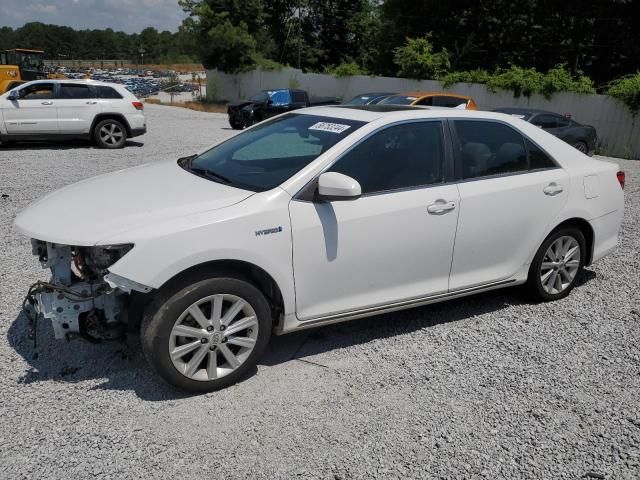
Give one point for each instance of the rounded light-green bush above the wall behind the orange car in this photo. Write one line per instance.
(417, 59)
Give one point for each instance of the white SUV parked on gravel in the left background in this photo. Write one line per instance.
(52, 109)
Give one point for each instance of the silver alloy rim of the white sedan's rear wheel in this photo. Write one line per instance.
(560, 265)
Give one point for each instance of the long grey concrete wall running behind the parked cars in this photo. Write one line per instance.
(618, 131)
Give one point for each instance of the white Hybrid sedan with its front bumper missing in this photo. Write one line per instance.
(314, 217)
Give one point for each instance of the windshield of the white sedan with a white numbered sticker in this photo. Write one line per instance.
(271, 152)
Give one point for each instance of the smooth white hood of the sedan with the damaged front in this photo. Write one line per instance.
(100, 207)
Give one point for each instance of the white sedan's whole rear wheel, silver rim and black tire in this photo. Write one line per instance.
(557, 265)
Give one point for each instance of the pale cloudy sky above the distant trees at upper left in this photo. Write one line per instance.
(130, 16)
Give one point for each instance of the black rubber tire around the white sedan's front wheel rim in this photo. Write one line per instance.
(162, 314)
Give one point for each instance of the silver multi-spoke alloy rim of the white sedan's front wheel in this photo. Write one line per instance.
(213, 337)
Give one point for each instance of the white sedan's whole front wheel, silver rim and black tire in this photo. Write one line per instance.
(208, 334)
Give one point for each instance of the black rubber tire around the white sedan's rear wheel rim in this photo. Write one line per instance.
(534, 283)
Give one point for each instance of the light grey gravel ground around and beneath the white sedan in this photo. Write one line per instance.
(484, 387)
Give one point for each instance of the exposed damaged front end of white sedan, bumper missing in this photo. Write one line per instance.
(82, 299)
